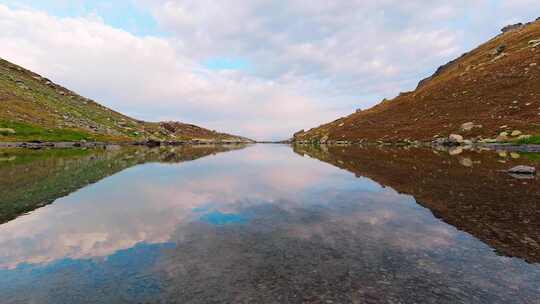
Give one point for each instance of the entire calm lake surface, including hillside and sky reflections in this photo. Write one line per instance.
(268, 224)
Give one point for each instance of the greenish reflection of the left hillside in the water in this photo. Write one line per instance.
(30, 179)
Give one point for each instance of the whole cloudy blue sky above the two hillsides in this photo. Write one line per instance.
(258, 68)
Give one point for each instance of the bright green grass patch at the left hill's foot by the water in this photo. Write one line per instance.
(27, 132)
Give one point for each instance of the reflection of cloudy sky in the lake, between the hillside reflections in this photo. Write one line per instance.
(257, 225)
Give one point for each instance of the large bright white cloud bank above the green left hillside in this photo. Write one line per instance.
(147, 76)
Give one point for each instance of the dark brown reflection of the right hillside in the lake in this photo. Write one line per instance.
(467, 191)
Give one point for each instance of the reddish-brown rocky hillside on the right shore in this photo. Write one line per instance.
(490, 90)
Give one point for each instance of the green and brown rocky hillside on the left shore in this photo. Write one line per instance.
(34, 108)
